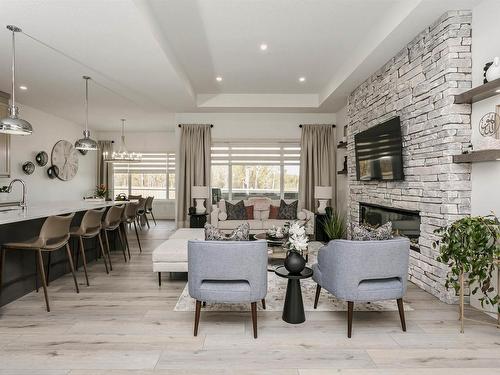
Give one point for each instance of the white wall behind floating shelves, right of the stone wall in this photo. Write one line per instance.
(485, 46)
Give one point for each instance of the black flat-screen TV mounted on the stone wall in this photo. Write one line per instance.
(379, 152)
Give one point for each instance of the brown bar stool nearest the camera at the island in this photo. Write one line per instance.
(53, 236)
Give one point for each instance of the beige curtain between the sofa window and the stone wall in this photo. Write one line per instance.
(317, 163)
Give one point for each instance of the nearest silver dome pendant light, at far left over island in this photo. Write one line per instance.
(13, 124)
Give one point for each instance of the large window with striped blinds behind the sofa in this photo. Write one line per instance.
(243, 170)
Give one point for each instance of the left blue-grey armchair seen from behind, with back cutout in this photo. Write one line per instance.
(227, 272)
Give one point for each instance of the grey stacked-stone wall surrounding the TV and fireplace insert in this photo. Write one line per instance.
(418, 85)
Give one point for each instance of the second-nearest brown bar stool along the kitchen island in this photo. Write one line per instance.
(90, 227)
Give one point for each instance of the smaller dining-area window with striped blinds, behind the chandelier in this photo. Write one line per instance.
(154, 176)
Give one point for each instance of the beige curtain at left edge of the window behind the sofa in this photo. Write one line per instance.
(194, 167)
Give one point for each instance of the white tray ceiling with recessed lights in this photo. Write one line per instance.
(151, 58)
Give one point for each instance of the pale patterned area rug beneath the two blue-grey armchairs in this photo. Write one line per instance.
(276, 290)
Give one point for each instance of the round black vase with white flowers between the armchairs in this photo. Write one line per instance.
(296, 244)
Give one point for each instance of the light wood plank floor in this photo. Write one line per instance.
(124, 324)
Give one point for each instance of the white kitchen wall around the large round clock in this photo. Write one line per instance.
(47, 130)
